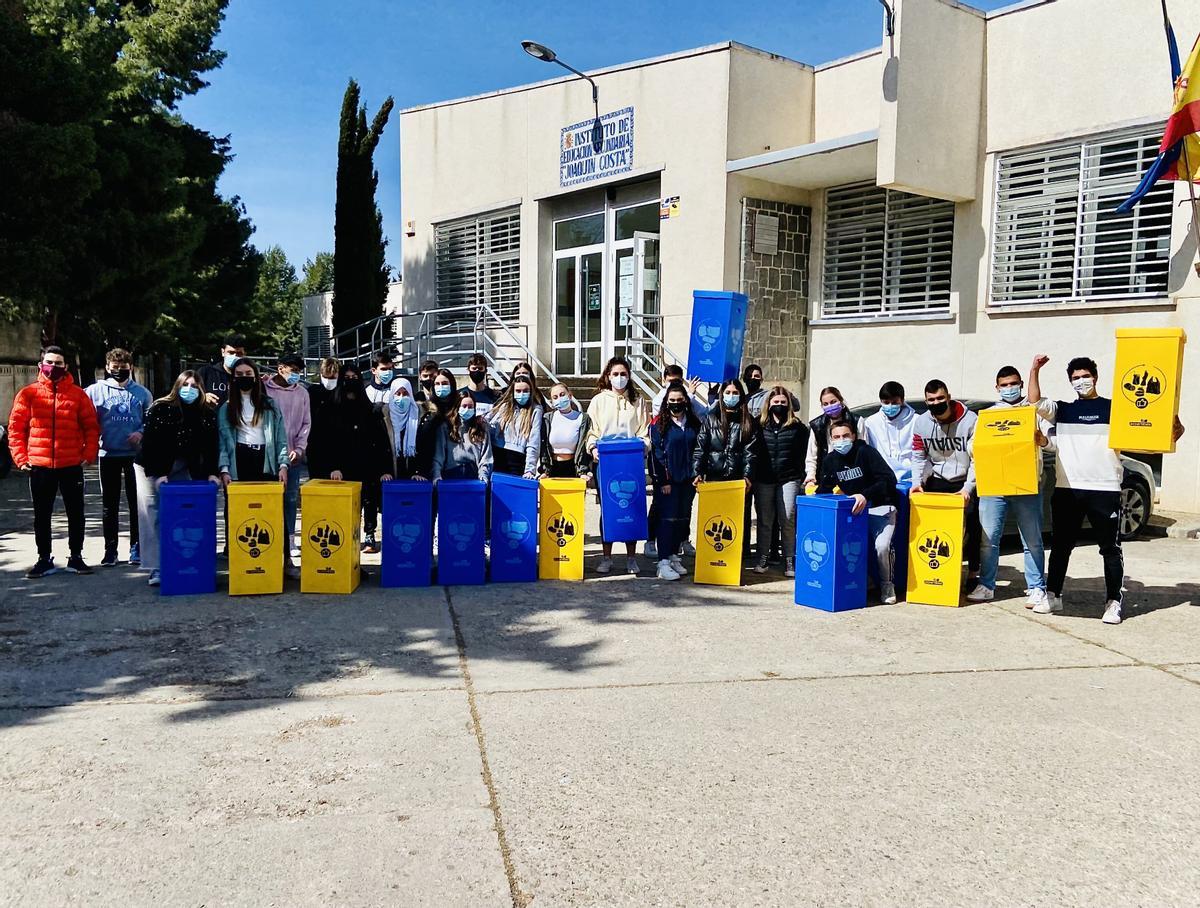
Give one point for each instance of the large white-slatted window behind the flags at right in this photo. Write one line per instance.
(1058, 234)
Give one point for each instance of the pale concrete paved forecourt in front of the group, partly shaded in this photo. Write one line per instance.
(621, 742)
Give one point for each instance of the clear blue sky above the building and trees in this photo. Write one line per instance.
(280, 91)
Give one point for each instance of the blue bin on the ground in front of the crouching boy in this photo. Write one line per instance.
(832, 552)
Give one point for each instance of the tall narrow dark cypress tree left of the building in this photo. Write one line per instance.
(361, 286)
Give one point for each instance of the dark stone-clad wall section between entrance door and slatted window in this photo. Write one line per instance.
(778, 326)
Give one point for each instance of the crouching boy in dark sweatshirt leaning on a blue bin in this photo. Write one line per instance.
(860, 471)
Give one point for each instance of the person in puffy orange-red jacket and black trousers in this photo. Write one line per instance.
(52, 434)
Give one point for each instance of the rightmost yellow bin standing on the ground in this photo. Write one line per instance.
(935, 549)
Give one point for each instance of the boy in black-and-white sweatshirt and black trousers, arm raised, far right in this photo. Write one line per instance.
(1089, 478)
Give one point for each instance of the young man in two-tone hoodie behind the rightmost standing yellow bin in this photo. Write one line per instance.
(943, 461)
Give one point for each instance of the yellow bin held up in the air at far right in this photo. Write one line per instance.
(1147, 389)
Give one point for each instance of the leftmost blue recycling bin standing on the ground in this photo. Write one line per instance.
(188, 538)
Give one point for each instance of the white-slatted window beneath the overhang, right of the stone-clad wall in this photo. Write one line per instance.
(886, 254)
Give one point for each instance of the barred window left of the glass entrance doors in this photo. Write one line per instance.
(479, 263)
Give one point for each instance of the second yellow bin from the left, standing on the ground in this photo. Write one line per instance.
(329, 537)
